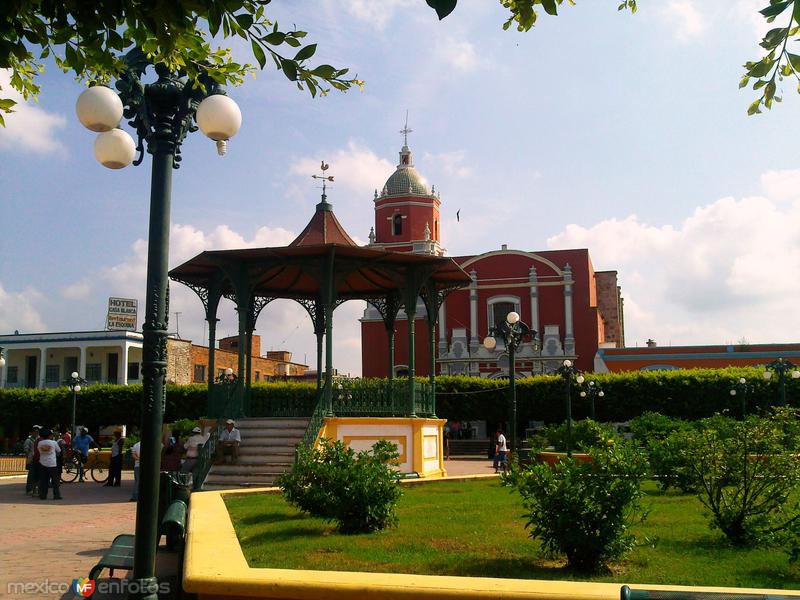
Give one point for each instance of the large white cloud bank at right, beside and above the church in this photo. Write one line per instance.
(726, 272)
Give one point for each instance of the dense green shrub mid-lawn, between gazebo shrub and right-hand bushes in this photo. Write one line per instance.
(584, 510)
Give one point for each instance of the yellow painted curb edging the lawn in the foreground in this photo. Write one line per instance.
(215, 567)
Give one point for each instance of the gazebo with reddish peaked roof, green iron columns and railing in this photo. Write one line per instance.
(322, 268)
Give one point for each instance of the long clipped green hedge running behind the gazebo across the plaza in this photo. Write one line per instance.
(691, 394)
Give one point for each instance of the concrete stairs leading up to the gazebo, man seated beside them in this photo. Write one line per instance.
(266, 451)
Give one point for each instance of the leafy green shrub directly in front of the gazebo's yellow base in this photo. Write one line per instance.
(357, 490)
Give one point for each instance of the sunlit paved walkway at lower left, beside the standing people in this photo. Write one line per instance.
(56, 541)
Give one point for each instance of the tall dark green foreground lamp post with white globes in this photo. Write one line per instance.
(162, 113)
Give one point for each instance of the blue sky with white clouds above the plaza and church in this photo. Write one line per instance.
(625, 134)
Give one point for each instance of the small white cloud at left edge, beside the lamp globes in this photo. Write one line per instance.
(29, 128)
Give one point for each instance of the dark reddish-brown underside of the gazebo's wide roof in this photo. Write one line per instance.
(299, 272)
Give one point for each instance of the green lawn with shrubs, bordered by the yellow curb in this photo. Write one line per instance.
(476, 528)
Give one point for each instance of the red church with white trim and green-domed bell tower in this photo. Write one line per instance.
(572, 309)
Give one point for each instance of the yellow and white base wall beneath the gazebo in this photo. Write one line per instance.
(419, 441)
